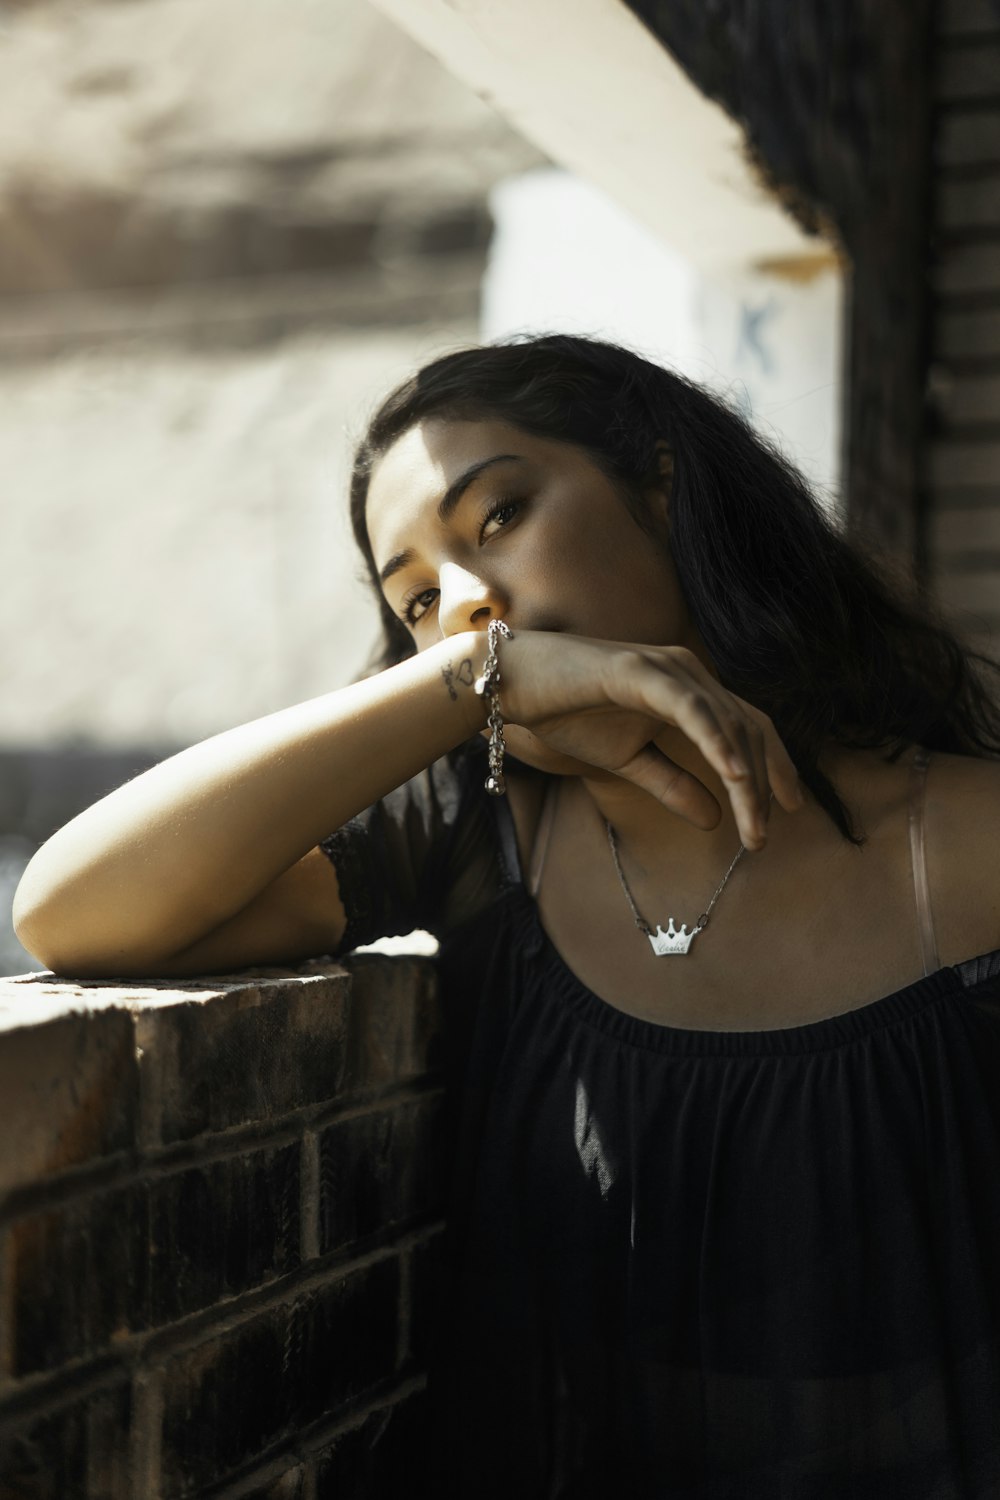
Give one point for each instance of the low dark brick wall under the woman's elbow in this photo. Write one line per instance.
(220, 1222)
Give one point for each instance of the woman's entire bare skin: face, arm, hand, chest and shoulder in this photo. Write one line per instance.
(624, 707)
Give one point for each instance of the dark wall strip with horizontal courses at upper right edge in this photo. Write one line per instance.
(963, 463)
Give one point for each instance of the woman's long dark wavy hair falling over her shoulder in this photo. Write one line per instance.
(821, 632)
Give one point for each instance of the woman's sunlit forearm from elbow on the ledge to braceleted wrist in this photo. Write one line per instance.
(170, 856)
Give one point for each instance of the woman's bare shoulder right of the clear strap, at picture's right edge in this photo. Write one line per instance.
(963, 854)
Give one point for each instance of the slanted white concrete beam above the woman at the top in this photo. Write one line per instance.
(603, 98)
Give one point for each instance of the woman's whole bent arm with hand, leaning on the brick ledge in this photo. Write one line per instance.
(146, 877)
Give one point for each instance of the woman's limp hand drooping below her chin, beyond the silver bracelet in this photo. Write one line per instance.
(615, 706)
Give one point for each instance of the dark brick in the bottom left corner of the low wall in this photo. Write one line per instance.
(77, 1453)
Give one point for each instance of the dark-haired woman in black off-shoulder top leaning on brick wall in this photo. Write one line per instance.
(725, 1217)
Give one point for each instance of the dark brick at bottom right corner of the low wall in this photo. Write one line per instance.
(383, 1459)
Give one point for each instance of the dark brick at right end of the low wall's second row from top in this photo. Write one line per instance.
(382, 1169)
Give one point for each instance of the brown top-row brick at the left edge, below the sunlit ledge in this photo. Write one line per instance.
(68, 1091)
